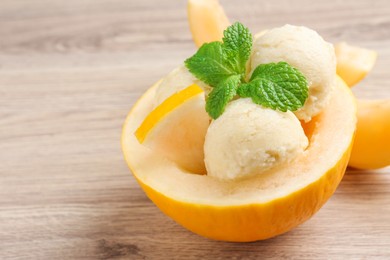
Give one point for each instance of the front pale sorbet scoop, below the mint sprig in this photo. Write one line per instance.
(249, 139)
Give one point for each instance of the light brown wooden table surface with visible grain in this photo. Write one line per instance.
(69, 73)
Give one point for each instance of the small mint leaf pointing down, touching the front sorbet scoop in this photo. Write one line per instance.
(221, 95)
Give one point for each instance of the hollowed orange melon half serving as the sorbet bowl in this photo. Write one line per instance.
(256, 208)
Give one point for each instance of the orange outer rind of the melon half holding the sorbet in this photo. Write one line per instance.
(252, 222)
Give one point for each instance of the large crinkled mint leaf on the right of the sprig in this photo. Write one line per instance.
(277, 86)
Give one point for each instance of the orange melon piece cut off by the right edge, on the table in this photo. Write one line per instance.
(371, 148)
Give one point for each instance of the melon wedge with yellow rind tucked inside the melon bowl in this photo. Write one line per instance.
(177, 128)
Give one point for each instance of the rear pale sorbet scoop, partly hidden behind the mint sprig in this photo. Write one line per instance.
(305, 50)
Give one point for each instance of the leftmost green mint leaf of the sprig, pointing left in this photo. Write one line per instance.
(210, 64)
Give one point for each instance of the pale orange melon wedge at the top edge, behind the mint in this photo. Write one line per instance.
(207, 21)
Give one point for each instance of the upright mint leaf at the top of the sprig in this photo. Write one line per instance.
(237, 42)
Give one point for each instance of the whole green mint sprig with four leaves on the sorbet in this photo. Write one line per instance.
(222, 65)
